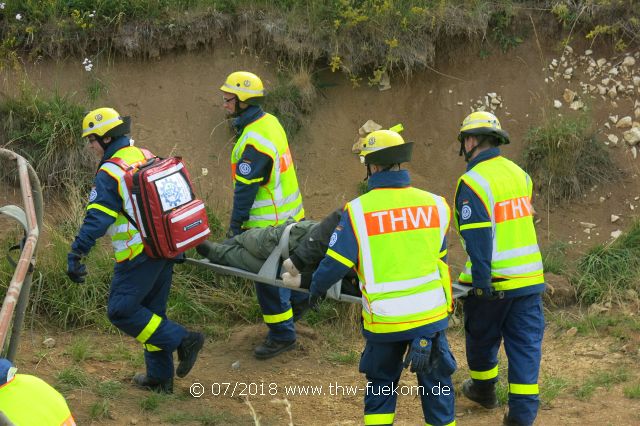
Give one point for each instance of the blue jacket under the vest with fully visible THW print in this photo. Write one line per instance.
(344, 242)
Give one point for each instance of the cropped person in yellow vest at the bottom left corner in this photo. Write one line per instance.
(29, 400)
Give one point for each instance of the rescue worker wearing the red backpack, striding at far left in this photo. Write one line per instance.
(140, 285)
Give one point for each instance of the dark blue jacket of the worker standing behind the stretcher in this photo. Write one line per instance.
(258, 171)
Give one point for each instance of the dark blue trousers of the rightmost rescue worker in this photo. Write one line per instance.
(520, 322)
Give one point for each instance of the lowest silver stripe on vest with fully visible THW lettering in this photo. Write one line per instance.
(408, 305)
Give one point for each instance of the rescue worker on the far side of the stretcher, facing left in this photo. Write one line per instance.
(266, 193)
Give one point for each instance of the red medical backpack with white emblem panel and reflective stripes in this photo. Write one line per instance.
(168, 216)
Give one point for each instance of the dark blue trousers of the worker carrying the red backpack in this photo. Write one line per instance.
(137, 306)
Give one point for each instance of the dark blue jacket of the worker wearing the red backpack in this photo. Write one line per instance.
(104, 193)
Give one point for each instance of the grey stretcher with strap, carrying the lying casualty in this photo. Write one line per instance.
(268, 274)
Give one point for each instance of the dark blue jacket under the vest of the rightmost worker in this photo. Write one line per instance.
(479, 241)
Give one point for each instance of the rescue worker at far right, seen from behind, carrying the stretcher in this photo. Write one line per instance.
(494, 217)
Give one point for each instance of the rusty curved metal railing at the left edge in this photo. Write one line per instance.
(17, 297)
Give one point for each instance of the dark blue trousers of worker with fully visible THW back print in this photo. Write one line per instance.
(381, 362)
